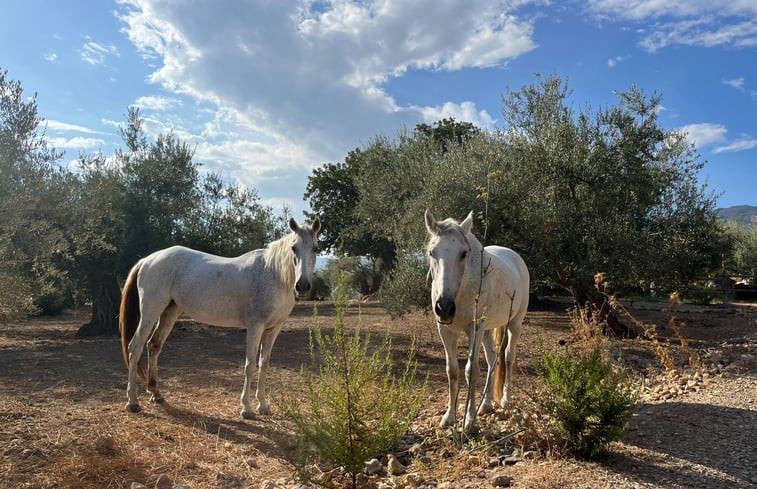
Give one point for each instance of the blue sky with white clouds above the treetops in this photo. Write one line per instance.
(267, 91)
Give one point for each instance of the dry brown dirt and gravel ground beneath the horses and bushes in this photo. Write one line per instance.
(63, 422)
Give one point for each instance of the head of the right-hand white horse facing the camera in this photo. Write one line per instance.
(448, 251)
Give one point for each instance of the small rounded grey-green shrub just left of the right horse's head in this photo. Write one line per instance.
(406, 288)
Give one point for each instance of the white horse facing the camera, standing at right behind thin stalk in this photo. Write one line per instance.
(455, 265)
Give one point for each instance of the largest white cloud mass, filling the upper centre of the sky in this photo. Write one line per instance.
(298, 83)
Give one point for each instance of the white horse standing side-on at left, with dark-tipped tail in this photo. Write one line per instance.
(255, 291)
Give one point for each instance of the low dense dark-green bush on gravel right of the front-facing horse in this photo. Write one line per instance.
(589, 403)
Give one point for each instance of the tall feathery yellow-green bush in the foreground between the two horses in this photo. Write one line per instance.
(357, 407)
